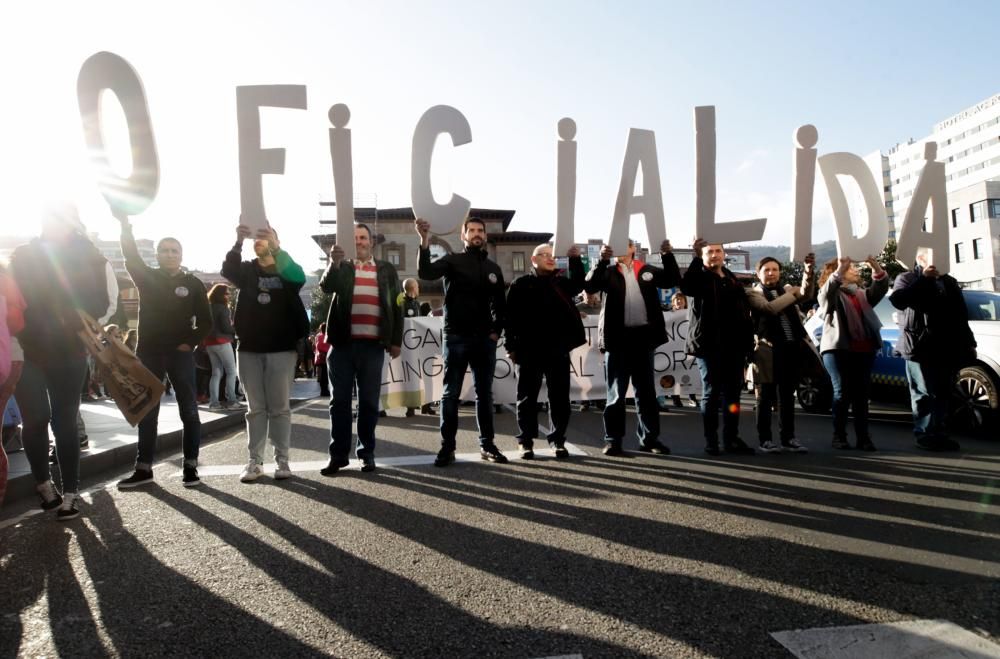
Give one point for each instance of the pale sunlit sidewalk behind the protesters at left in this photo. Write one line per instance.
(113, 441)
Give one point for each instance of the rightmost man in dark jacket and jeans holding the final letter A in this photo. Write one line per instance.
(936, 341)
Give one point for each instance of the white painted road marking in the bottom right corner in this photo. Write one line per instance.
(912, 638)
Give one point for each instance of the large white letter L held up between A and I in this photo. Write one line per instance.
(704, 188)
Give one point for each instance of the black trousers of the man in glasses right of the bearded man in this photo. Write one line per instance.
(554, 367)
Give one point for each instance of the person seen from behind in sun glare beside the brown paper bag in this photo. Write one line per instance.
(59, 273)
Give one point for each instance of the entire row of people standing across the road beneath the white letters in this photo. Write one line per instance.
(265, 341)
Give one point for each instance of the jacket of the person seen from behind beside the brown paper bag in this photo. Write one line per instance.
(56, 280)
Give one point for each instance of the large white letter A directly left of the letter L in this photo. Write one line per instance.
(640, 150)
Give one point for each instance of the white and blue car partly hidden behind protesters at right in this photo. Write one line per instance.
(977, 389)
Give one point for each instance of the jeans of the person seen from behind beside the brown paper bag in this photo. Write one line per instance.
(51, 393)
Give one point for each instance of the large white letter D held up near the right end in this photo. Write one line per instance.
(874, 237)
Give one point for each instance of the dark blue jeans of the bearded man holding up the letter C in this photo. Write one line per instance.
(480, 354)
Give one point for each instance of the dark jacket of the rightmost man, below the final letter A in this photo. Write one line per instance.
(934, 322)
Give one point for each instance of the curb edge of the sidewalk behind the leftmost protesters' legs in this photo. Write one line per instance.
(95, 463)
